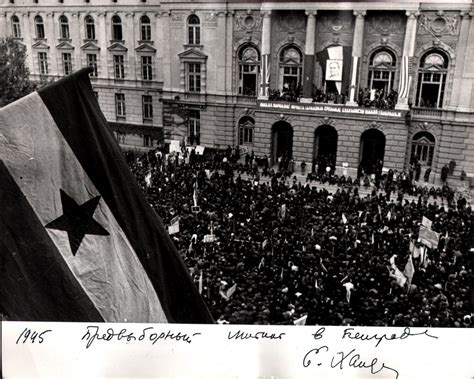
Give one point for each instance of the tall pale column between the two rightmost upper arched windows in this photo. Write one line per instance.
(406, 72)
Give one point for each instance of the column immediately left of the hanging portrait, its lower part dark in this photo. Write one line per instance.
(308, 75)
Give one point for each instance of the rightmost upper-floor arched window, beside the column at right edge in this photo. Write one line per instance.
(432, 79)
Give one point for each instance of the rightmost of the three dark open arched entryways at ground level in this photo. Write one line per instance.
(372, 151)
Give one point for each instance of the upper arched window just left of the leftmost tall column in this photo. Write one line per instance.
(249, 70)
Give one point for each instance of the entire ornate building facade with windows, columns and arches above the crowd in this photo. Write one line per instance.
(353, 86)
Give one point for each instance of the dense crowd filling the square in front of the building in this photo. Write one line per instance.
(283, 249)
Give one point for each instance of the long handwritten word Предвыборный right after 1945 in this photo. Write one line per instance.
(94, 333)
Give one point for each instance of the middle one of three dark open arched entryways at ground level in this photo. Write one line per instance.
(325, 148)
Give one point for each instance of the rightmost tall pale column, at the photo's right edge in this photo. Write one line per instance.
(463, 59)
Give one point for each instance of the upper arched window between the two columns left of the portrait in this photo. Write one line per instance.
(291, 69)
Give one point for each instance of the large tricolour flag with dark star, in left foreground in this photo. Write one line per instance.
(79, 241)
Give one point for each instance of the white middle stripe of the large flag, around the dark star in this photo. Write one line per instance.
(106, 266)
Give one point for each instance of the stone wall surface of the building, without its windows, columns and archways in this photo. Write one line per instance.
(225, 27)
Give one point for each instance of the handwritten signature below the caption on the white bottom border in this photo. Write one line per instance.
(342, 360)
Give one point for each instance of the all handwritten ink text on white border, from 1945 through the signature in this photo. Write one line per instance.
(326, 353)
